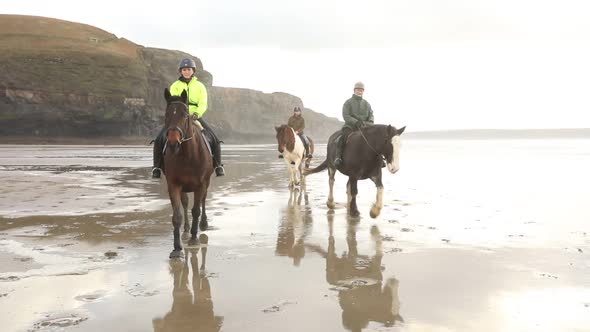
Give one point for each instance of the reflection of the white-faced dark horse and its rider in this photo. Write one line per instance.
(363, 296)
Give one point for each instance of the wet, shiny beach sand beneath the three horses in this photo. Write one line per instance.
(467, 241)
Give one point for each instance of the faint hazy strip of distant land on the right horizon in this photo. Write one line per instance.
(501, 134)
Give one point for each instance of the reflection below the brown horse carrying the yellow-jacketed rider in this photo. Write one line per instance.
(191, 311)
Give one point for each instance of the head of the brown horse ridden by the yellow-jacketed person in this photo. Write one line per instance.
(177, 120)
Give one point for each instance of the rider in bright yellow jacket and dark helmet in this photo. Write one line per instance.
(197, 105)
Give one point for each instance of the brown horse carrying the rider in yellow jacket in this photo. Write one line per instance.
(188, 166)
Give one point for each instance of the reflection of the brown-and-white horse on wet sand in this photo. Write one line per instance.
(295, 226)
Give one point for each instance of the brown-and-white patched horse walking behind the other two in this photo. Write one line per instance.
(291, 146)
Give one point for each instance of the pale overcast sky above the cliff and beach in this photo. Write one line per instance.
(426, 64)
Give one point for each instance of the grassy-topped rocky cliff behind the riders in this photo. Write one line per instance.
(63, 79)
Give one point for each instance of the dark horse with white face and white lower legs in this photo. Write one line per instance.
(362, 159)
